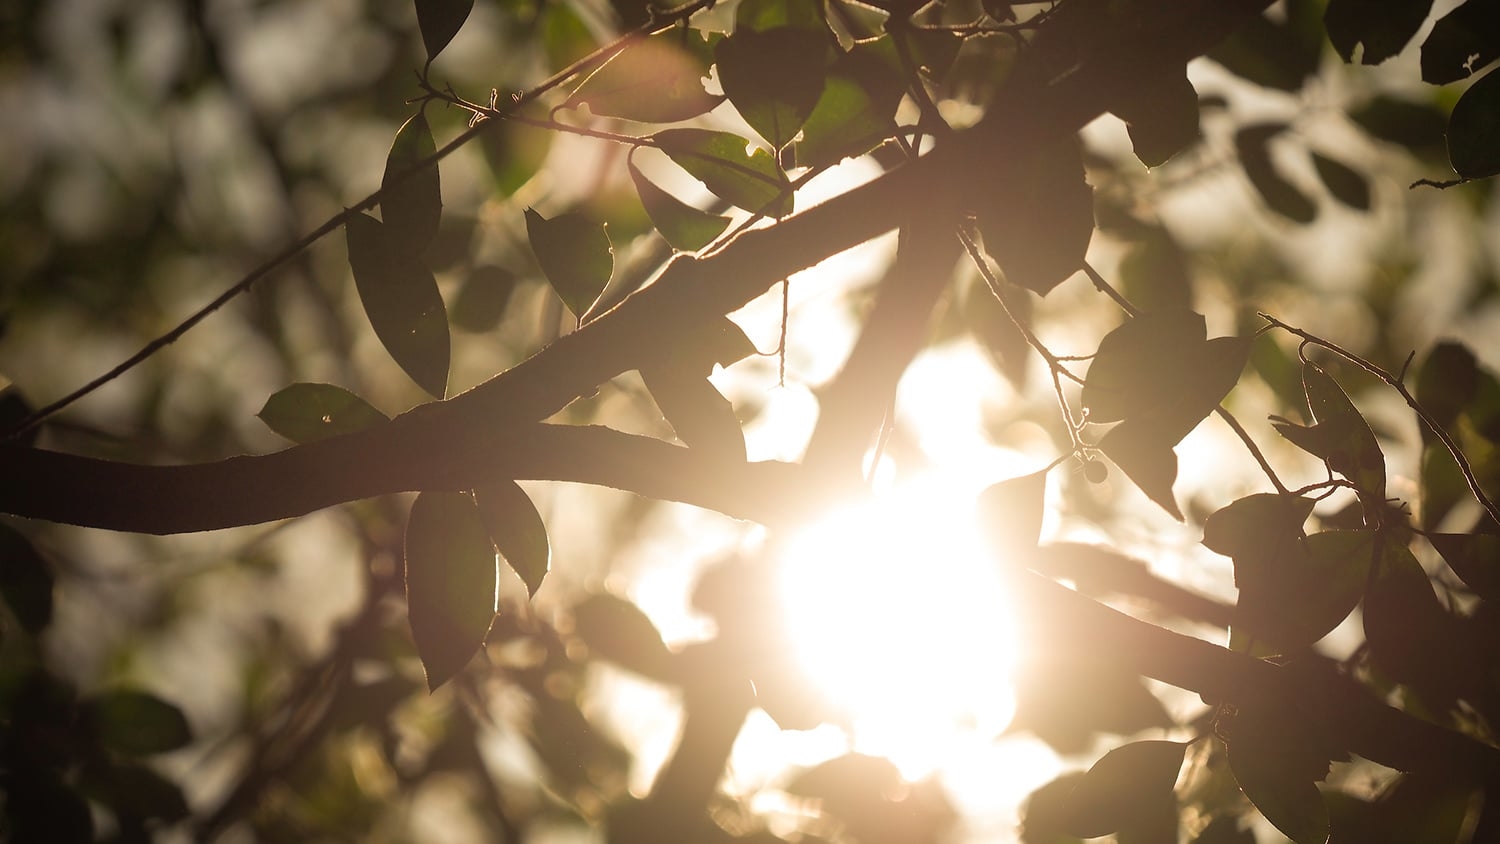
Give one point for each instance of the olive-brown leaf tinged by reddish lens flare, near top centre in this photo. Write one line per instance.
(656, 80)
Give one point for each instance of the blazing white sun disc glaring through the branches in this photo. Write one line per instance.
(902, 618)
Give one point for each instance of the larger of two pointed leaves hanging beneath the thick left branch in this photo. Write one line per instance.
(452, 582)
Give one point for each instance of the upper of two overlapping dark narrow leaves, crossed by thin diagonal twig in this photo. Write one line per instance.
(412, 203)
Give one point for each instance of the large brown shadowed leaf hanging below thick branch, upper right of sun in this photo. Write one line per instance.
(1042, 235)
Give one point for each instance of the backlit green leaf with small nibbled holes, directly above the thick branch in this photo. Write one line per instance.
(722, 161)
